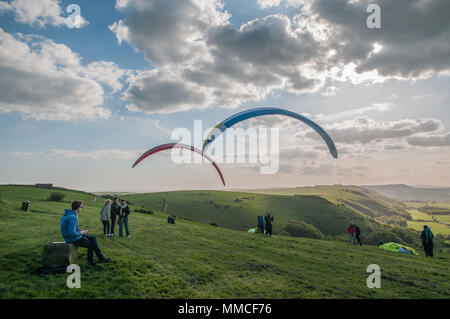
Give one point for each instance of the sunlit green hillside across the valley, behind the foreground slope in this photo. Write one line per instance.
(239, 210)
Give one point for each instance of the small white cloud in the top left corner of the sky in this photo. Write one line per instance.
(38, 12)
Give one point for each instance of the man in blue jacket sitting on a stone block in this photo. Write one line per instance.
(72, 234)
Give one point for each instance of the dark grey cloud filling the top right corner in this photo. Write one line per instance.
(420, 28)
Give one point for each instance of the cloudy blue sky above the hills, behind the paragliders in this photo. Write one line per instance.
(79, 105)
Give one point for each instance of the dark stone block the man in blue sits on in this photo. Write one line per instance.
(59, 254)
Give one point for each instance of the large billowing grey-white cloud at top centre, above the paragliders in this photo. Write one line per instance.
(200, 55)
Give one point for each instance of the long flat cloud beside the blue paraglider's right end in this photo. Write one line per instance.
(364, 130)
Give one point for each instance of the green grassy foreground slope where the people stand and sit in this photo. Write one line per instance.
(192, 260)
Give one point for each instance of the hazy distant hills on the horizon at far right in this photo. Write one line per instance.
(412, 193)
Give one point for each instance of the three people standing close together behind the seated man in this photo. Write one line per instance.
(115, 212)
